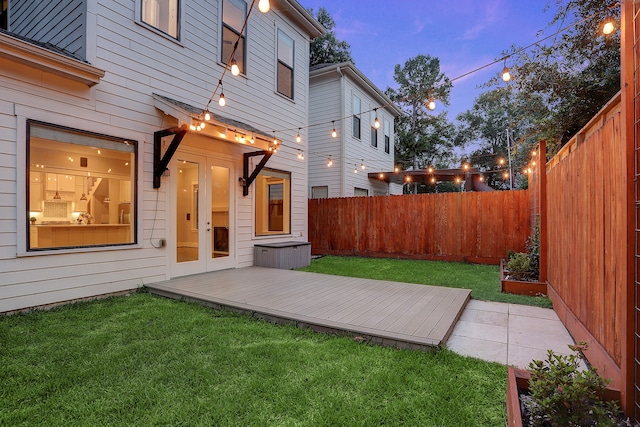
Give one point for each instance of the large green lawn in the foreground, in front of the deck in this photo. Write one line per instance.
(146, 360)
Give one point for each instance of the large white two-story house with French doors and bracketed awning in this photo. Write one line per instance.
(97, 150)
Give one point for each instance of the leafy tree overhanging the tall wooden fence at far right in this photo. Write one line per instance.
(574, 74)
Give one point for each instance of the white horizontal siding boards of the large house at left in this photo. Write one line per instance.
(139, 62)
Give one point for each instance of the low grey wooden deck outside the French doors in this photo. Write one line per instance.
(388, 313)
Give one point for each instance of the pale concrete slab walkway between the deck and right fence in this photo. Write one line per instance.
(510, 334)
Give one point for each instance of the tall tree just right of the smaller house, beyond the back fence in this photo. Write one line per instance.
(422, 138)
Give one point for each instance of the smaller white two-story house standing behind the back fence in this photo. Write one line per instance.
(343, 97)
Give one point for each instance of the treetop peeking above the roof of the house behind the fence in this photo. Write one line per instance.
(327, 49)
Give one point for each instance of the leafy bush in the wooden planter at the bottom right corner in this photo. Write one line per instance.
(564, 395)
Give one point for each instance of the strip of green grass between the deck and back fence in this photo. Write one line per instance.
(483, 280)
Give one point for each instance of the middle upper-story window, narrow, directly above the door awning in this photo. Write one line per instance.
(234, 12)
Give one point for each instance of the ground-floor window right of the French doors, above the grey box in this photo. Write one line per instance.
(273, 202)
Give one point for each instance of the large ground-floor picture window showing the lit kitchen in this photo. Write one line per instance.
(81, 188)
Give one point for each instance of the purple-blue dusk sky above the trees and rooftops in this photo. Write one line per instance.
(463, 34)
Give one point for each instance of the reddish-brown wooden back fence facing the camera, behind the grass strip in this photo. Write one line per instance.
(475, 227)
